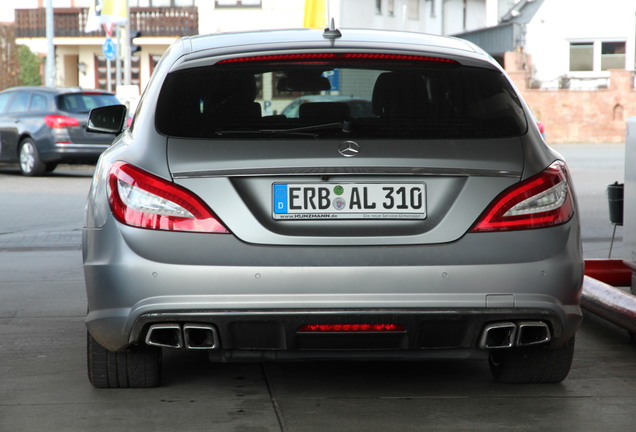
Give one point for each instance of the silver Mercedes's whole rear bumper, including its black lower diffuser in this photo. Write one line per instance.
(257, 309)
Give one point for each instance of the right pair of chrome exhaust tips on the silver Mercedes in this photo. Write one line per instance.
(509, 334)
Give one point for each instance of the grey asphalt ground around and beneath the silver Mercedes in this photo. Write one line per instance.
(43, 384)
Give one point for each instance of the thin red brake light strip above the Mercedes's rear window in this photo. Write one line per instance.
(338, 56)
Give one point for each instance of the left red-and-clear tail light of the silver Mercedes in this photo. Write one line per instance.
(140, 199)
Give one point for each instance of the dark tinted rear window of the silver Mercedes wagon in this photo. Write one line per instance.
(339, 99)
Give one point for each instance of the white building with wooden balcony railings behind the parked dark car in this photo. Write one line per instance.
(80, 60)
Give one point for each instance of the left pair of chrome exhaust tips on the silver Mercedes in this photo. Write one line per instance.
(189, 336)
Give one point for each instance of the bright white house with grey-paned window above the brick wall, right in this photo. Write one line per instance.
(576, 42)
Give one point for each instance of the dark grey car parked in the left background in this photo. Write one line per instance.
(41, 127)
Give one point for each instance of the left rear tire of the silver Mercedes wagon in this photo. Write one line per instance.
(136, 367)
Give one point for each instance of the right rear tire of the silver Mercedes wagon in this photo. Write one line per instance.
(534, 364)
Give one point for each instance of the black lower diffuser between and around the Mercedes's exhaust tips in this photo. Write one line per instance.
(422, 333)
